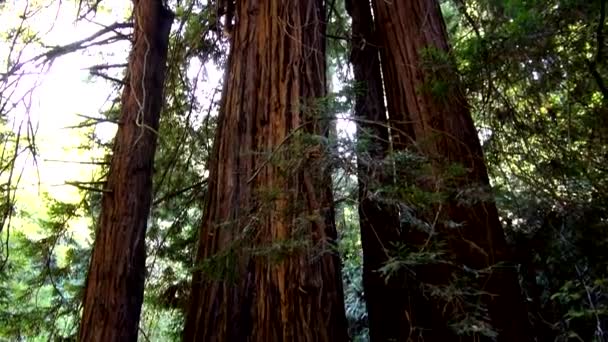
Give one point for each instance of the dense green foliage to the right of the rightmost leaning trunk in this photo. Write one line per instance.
(536, 72)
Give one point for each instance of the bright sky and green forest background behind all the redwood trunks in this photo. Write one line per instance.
(534, 74)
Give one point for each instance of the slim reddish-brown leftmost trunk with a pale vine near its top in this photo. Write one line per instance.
(115, 282)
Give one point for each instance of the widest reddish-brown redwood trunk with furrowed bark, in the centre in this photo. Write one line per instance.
(266, 269)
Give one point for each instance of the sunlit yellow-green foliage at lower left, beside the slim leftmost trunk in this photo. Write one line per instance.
(44, 280)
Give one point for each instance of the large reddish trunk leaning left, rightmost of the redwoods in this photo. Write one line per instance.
(429, 117)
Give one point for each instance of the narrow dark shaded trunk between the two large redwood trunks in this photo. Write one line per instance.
(378, 220)
